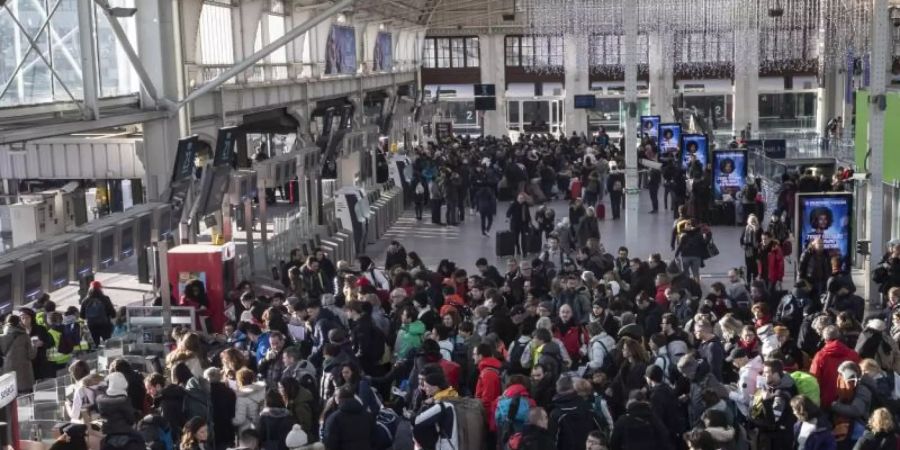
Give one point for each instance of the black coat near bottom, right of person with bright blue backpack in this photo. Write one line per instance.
(571, 420)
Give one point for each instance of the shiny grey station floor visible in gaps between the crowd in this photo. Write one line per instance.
(464, 244)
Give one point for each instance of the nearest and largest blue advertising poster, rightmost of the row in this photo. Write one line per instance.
(826, 216)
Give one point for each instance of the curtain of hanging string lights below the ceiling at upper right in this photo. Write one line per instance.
(701, 36)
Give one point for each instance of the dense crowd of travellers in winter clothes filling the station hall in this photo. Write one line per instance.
(568, 347)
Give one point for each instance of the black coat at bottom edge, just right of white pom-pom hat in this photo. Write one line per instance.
(351, 427)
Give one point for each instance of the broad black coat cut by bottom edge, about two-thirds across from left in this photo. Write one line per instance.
(638, 429)
